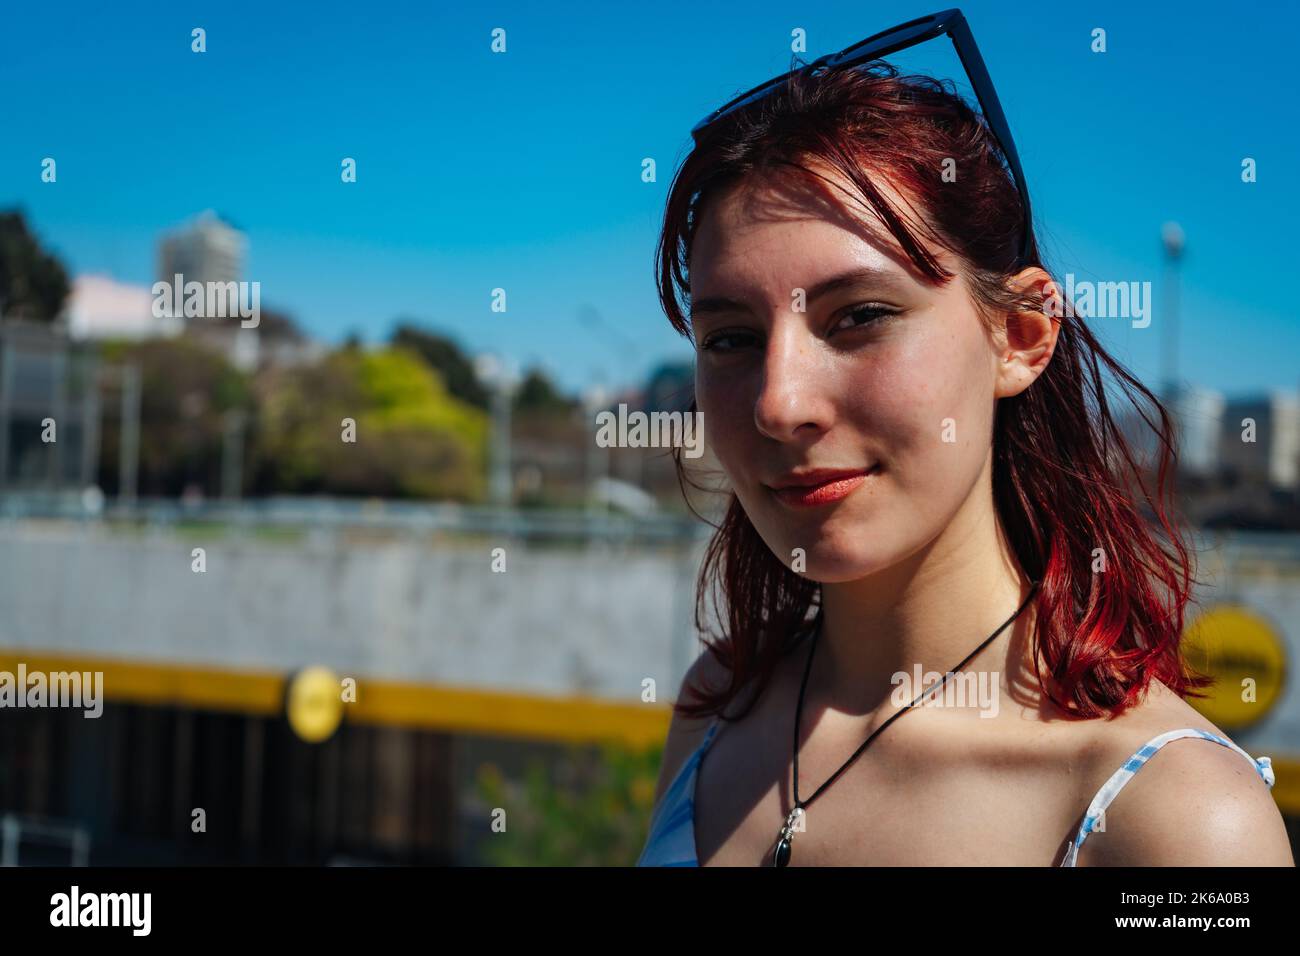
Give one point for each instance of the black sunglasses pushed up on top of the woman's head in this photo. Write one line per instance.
(951, 23)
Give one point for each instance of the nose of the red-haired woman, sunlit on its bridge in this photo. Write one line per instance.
(791, 396)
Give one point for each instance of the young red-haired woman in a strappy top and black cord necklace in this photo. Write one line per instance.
(925, 477)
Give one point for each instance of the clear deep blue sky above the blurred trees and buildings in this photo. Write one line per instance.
(522, 171)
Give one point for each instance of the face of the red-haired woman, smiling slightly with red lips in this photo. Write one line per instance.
(881, 377)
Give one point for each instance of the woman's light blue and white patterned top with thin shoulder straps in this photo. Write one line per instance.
(673, 825)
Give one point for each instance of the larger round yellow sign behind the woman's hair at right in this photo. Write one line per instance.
(1246, 656)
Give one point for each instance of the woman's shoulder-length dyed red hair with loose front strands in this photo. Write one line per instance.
(1065, 481)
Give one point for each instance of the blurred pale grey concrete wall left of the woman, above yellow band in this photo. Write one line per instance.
(595, 621)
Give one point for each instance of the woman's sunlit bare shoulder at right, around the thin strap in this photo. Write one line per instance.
(1194, 803)
